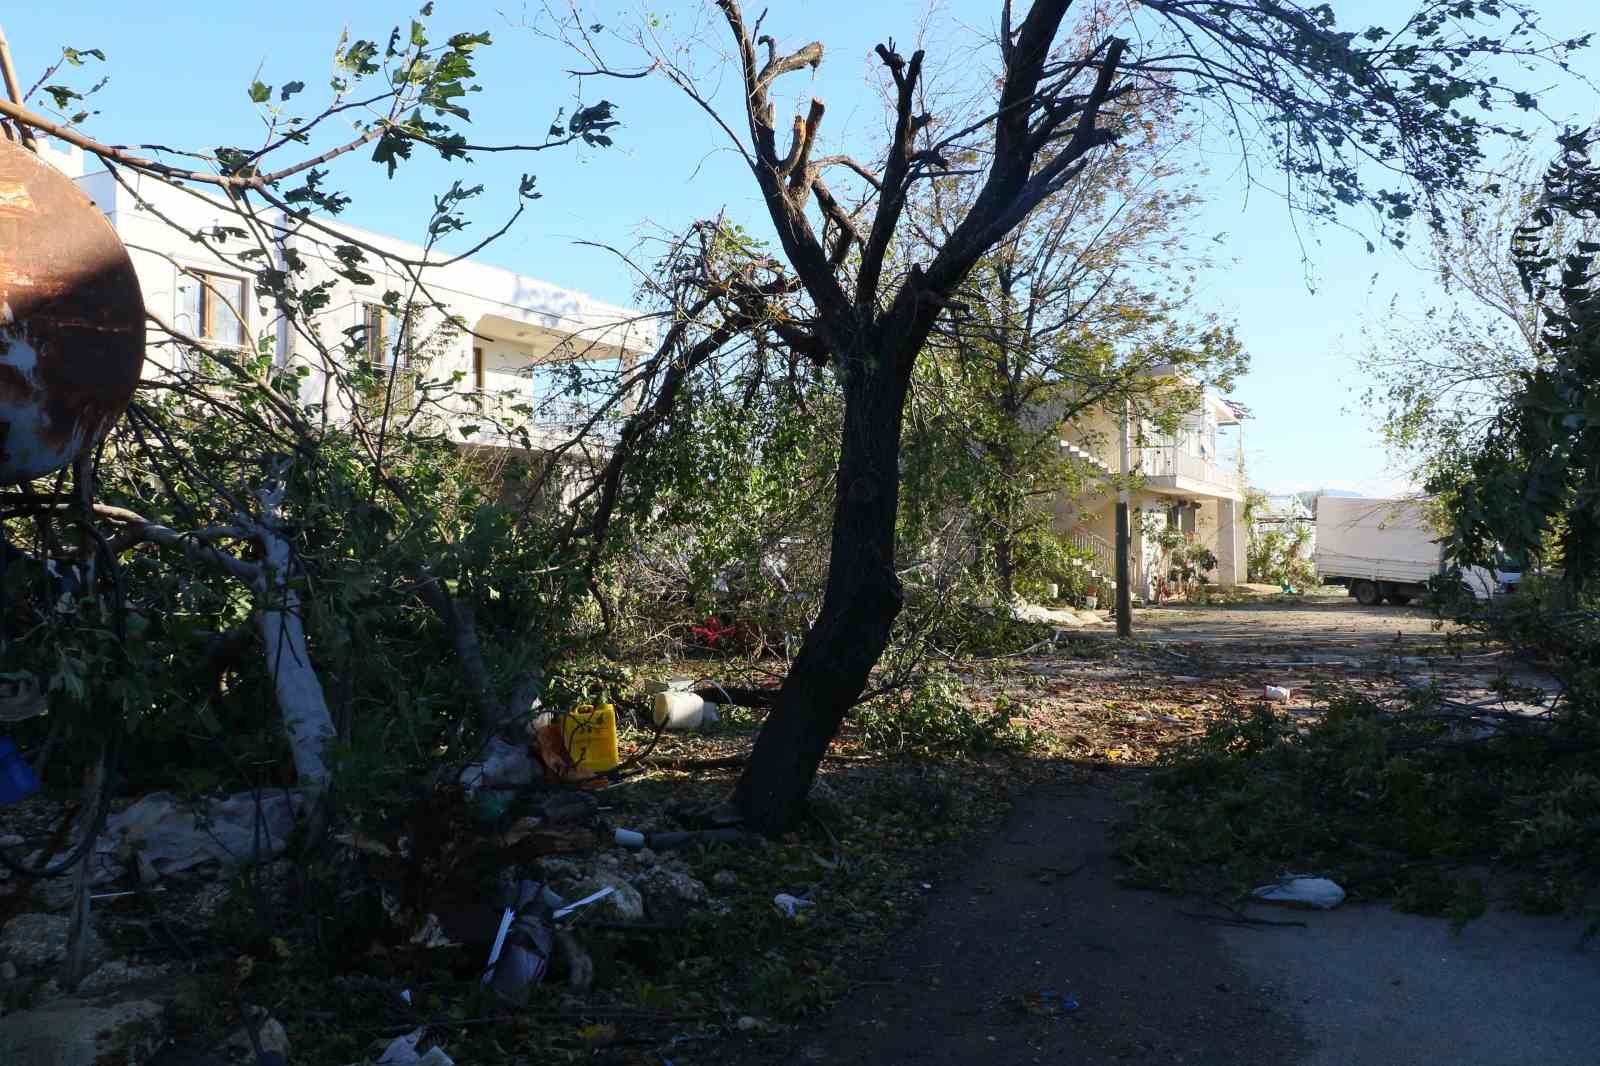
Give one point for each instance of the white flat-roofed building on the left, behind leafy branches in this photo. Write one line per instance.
(521, 342)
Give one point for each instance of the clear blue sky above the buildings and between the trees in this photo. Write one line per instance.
(180, 74)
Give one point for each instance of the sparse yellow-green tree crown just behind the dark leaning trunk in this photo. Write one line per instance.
(1084, 310)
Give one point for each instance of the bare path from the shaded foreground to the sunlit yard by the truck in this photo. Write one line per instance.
(1038, 913)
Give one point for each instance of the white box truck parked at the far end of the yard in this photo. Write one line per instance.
(1388, 551)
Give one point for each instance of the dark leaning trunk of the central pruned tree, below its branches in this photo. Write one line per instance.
(860, 606)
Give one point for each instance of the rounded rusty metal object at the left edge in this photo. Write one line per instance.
(71, 319)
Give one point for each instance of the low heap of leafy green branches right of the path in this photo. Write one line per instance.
(1383, 799)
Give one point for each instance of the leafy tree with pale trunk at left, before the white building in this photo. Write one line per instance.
(305, 523)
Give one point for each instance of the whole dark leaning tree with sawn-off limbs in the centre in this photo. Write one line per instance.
(1340, 113)
